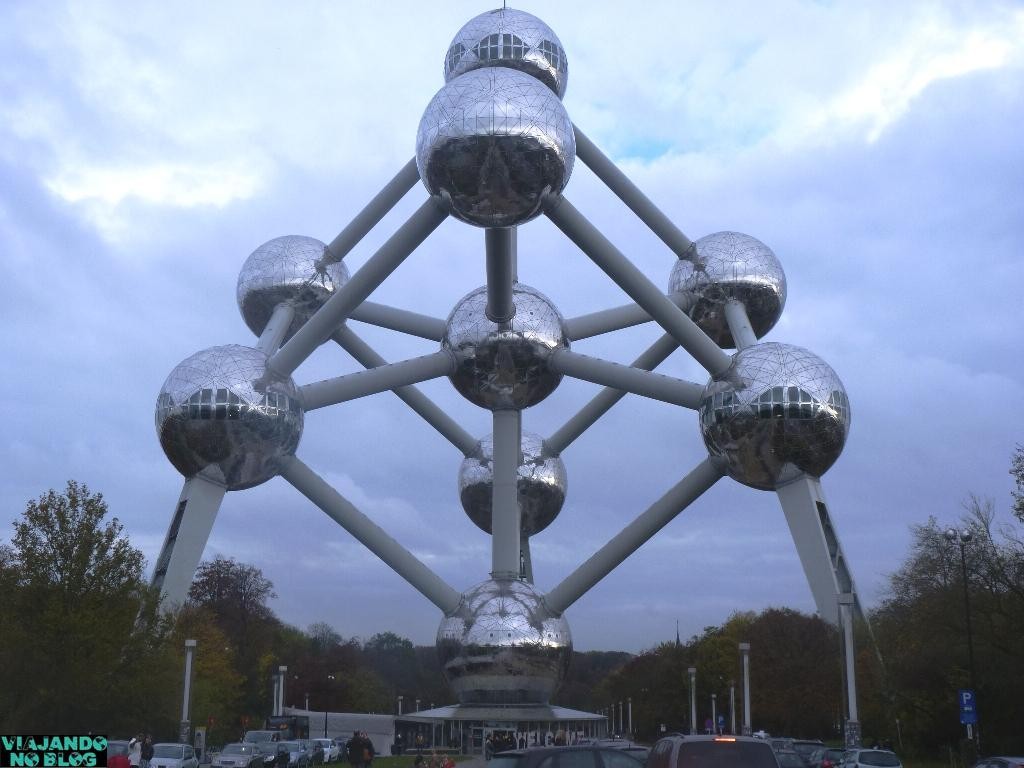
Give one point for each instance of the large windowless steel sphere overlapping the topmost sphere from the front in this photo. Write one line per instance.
(494, 142)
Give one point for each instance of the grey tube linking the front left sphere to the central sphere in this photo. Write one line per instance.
(374, 380)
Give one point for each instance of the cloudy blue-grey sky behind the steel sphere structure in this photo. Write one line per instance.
(148, 149)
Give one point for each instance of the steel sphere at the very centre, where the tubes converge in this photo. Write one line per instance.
(505, 367)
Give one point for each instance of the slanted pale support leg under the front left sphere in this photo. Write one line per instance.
(187, 538)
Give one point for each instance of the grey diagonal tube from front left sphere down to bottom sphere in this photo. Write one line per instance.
(372, 536)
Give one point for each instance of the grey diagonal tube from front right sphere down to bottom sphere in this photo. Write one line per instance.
(630, 539)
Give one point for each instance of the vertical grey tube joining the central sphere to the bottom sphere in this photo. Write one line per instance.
(505, 524)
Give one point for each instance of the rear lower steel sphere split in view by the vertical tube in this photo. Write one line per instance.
(542, 484)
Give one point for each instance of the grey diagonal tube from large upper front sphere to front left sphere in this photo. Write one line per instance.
(326, 321)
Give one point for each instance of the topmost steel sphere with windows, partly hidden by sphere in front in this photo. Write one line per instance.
(509, 38)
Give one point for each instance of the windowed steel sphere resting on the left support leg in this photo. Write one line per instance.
(224, 413)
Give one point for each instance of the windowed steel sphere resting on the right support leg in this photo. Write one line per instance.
(779, 411)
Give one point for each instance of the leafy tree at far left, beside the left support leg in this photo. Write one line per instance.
(80, 623)
